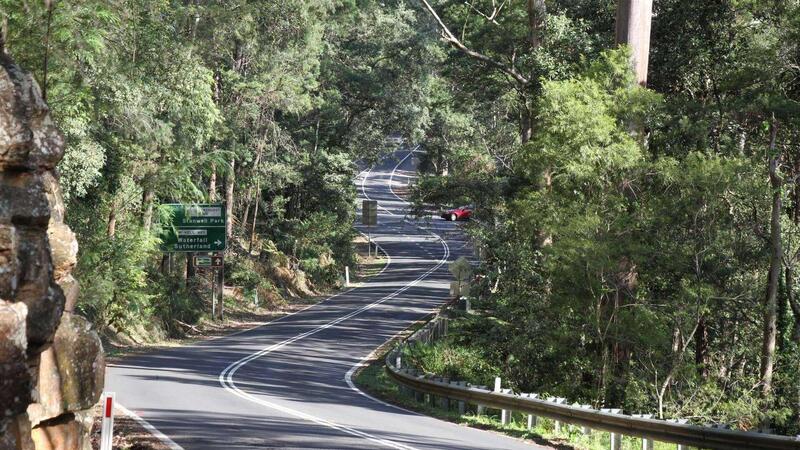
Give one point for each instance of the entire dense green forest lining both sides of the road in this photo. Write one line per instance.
(640, 244)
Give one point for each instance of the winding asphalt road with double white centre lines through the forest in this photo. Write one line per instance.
(286, 384)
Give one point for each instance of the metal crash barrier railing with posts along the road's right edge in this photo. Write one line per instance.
(447, 393)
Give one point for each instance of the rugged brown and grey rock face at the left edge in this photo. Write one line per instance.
(51, 362)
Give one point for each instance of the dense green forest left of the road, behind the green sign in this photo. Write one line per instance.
(264, 106)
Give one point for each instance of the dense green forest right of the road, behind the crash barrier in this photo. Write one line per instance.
(640, 244)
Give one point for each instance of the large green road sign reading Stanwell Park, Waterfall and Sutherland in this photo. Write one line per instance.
(194, 228)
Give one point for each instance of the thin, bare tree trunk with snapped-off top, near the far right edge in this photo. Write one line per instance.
(776, 256)
